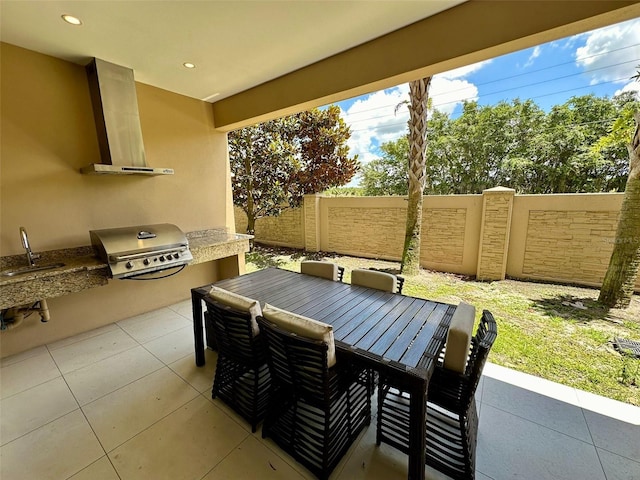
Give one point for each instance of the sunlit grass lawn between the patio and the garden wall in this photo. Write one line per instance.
(540, 330)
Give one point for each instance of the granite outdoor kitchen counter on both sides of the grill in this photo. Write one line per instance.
(83, 270)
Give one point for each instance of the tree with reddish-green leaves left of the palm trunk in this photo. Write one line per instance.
(275, 163)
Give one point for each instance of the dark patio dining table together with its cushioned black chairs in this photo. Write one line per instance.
(280, 362)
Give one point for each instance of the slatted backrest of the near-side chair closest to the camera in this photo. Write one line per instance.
(297, 363)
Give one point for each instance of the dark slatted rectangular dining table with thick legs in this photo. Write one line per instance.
(397, 335)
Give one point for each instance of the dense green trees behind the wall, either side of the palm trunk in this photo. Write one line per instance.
(579, 146)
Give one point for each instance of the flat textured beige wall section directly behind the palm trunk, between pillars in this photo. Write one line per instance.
(373, 227)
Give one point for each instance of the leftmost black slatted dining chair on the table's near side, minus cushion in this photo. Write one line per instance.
(242, 379)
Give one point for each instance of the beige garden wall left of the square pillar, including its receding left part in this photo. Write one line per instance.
(373, 227)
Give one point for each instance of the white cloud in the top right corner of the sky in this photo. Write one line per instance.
(611, 54)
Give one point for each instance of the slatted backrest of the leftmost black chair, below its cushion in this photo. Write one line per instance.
(234, 332)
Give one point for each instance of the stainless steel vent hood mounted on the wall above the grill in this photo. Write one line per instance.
(115, 109)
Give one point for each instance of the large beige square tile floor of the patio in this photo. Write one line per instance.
(127, 402)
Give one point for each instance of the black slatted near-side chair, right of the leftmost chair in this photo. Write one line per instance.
(316, 411)
